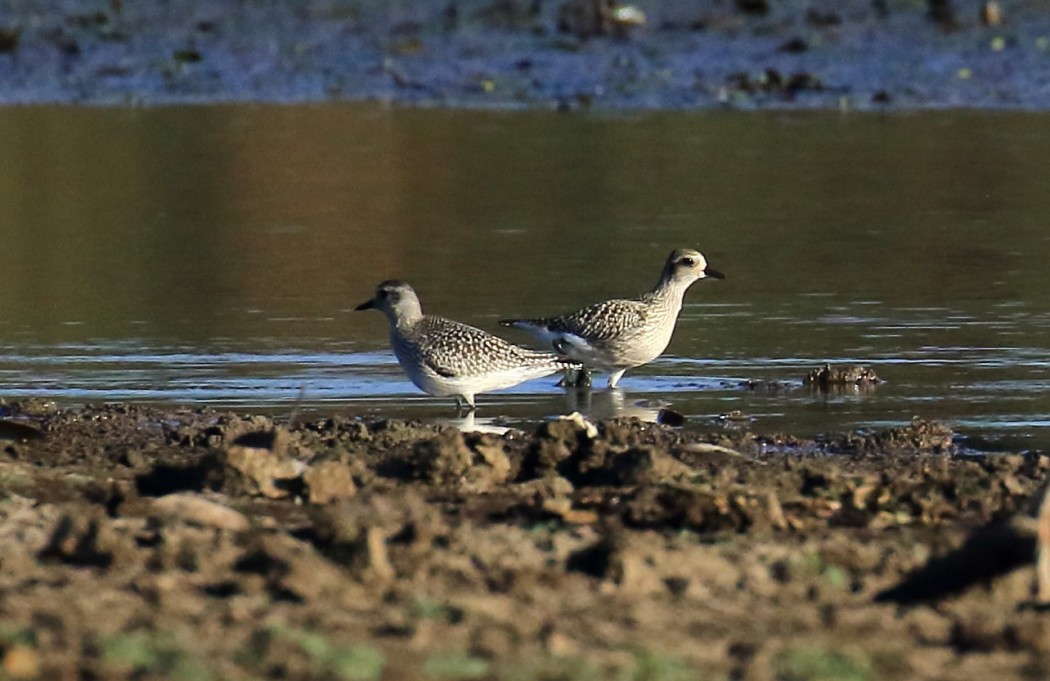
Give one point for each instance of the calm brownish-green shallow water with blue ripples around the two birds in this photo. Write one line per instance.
(215, 256)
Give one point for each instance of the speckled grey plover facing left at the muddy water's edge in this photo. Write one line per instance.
(449, 358)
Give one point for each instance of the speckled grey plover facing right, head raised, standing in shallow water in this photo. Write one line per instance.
(619, 335)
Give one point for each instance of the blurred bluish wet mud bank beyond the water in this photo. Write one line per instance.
(518, 54)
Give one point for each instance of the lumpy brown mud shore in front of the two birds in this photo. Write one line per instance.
(143, 543)
